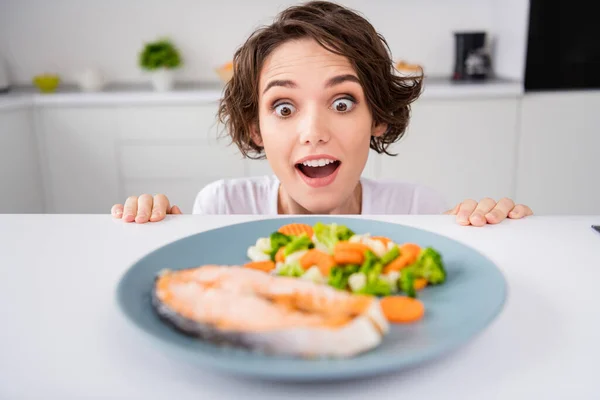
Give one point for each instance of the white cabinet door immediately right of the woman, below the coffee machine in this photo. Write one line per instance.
(462, 148)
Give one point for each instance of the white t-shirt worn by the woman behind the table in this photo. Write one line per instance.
(259, 195)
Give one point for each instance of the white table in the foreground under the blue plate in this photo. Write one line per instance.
(63, 337)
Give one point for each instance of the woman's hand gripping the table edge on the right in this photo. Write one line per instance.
(488, 211)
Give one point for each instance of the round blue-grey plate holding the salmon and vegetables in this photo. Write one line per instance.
(471, 298)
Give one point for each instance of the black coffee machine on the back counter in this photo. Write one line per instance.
(472, 61)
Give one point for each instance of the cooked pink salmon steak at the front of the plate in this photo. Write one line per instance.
(272, 314)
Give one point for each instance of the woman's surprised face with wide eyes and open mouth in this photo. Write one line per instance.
(314, 124)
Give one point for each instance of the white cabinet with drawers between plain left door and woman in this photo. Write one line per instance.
(174, 150)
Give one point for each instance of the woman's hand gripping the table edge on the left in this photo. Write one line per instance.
(144, 208)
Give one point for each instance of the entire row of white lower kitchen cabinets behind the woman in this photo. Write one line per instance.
(541, 150)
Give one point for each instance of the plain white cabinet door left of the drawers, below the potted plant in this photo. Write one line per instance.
(80, 162)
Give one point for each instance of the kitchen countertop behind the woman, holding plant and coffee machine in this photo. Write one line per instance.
(199, 93)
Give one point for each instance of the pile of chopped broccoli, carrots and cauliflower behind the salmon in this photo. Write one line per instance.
(335, 255)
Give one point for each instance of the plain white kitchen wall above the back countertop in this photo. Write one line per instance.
(65, 36)
